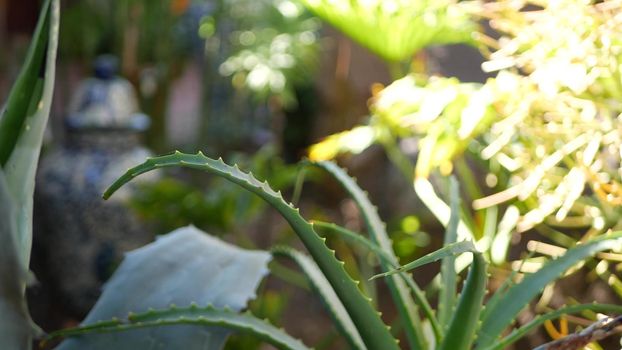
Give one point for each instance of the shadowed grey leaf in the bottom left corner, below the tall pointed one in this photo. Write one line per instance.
(15, 324)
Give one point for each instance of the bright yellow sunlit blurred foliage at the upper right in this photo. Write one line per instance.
(542, 134)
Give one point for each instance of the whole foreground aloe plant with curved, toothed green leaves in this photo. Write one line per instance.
(461, 321)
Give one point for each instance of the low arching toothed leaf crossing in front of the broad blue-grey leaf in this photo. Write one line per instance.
(193, 315)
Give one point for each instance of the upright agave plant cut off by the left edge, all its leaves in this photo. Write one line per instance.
(22, 123)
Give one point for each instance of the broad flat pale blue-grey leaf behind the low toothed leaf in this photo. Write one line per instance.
(183, 267)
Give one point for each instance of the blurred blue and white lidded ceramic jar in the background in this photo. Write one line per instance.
(80, 237)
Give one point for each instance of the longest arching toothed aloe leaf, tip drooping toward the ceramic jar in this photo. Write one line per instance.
(374, 332)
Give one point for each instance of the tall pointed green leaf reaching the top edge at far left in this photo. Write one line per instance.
(21, 133)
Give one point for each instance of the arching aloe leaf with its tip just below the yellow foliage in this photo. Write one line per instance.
(404, 303)
